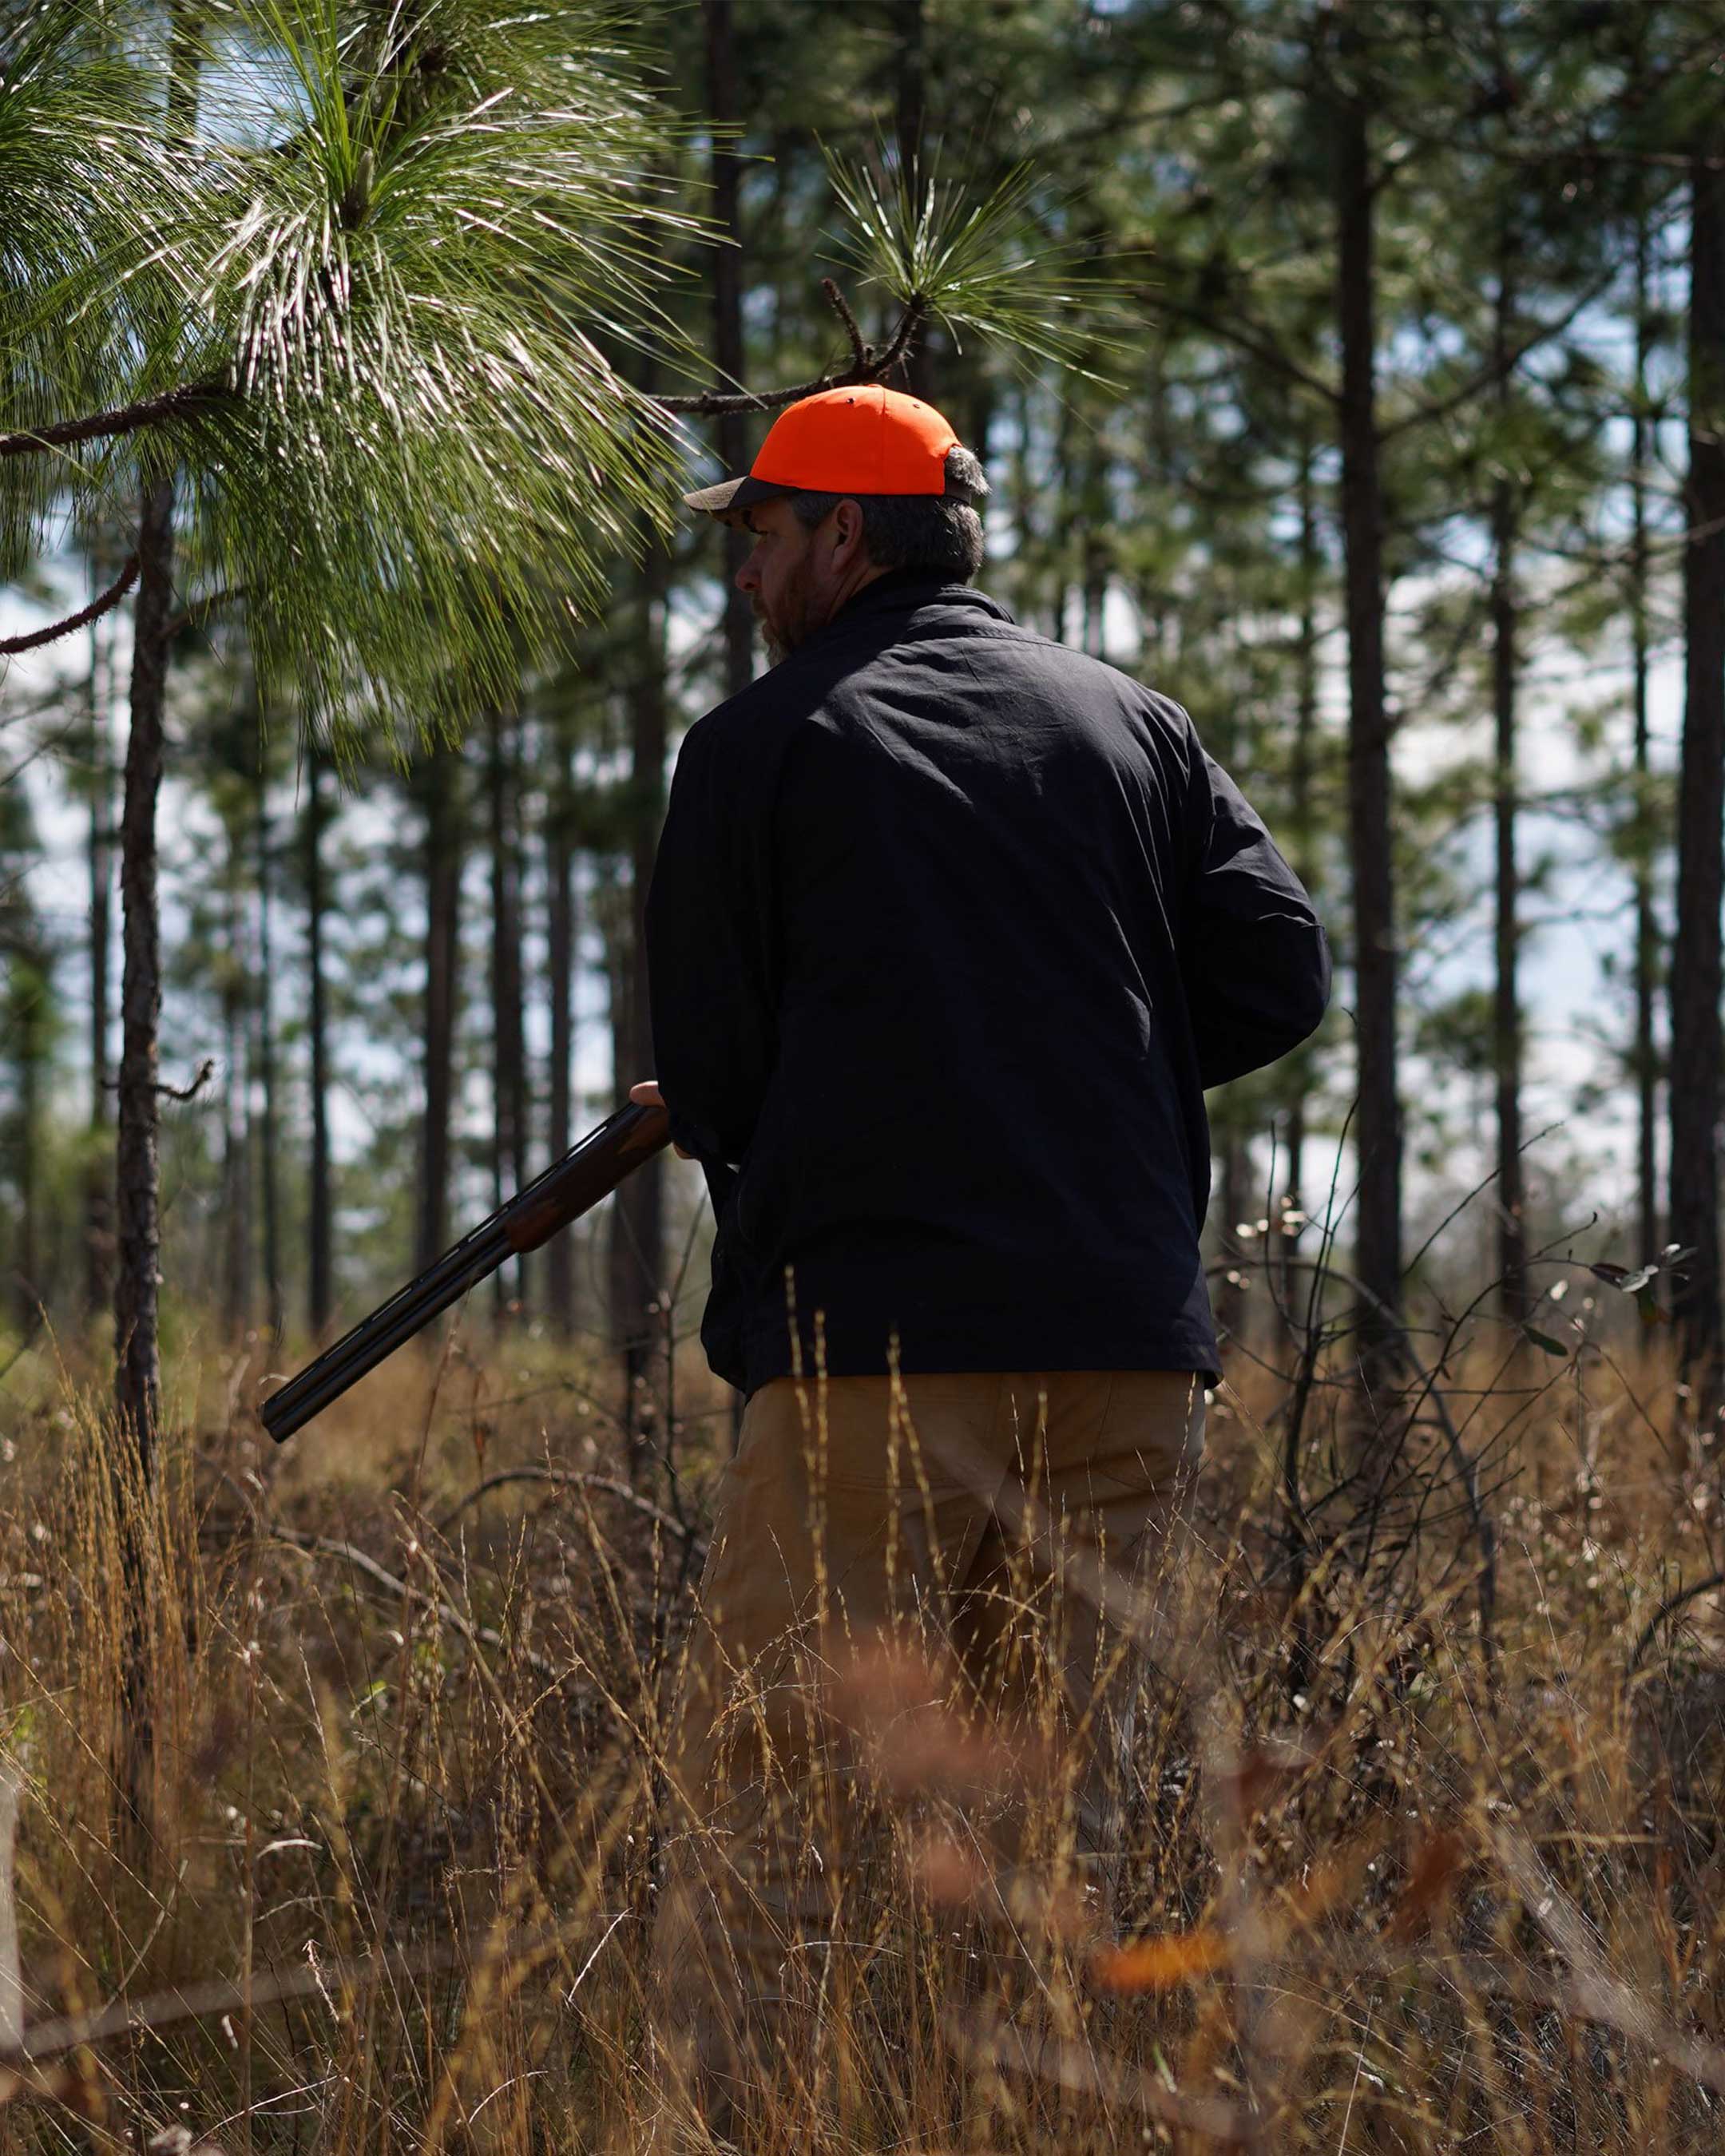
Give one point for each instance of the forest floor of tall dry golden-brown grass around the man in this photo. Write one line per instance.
(346, 1829)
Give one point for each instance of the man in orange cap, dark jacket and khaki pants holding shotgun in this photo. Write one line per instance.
(948, 937)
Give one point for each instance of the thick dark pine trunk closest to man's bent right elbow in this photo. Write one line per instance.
(1377, 1118)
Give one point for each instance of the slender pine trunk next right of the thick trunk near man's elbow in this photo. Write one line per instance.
(1506, 999)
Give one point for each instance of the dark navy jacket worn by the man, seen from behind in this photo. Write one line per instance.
(950, 930)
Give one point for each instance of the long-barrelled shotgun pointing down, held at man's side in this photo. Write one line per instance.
(549, 1204)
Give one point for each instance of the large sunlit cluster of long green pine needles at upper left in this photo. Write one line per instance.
(406, 266)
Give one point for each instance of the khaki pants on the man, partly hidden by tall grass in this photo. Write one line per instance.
(920, 1584)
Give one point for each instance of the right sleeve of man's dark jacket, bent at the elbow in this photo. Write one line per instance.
(1252, 952)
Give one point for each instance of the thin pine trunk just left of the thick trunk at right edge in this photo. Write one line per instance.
(1646, 920)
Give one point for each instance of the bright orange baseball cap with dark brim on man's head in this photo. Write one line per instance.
(857, 441)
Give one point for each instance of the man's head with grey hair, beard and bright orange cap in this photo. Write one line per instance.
(848, 486)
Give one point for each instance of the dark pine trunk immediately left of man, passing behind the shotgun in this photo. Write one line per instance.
(637, 1239)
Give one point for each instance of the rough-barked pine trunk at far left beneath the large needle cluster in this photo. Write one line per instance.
(137, 1193)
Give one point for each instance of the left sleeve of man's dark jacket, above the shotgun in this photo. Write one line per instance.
(710, 950)
